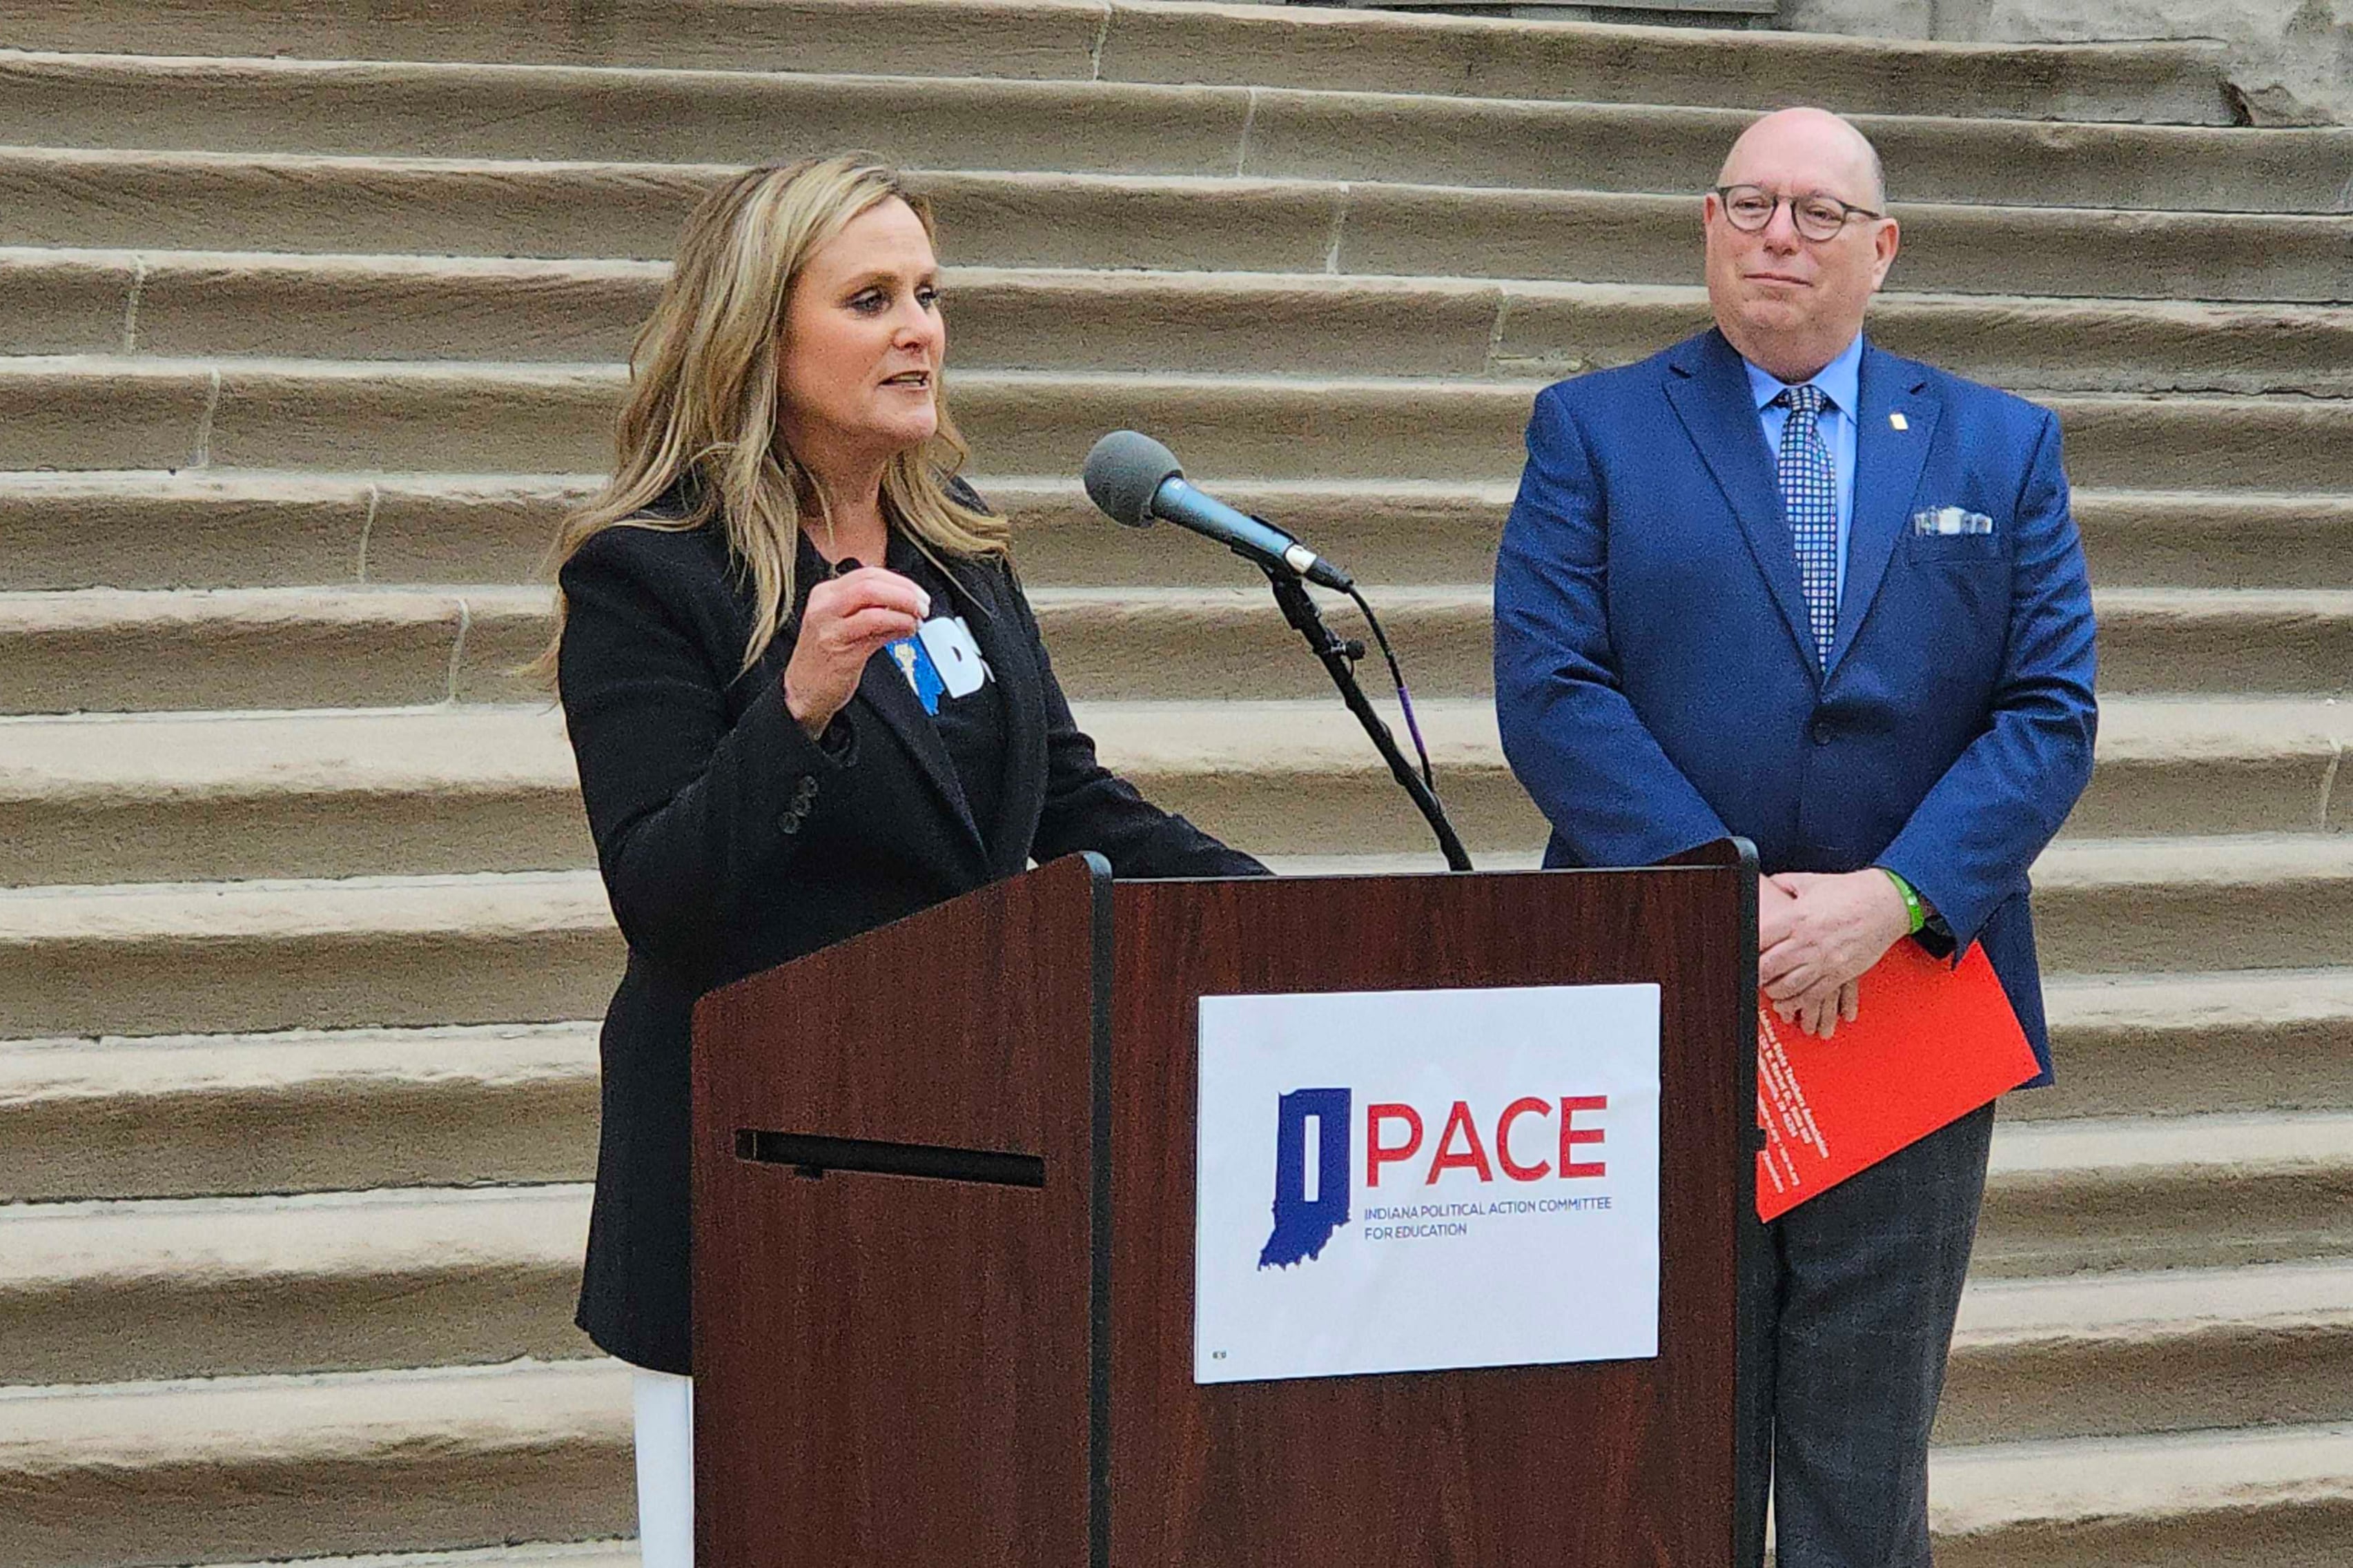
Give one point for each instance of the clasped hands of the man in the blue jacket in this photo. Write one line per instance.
(1818, 936)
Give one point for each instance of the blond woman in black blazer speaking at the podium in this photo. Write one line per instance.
(804, 689)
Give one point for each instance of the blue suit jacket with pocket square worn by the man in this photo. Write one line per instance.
(1655, 675)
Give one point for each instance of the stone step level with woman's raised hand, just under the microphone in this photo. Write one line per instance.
(128, 651)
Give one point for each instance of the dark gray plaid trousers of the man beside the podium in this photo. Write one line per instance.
(1855, 1308)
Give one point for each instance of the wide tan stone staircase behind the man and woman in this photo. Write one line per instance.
(312, 326)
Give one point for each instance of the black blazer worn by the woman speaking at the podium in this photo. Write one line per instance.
(731, 842)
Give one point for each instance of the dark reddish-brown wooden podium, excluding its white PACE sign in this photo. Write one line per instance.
(945, 1242)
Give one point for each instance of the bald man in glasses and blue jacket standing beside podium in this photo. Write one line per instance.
(1785, 585)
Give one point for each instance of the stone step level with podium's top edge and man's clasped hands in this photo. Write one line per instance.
(371, 952)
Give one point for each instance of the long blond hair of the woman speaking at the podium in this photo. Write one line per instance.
(705, 390)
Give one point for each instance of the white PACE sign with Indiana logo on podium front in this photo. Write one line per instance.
(1425, 1181)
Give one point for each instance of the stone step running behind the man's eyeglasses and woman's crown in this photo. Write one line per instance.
(535, 208)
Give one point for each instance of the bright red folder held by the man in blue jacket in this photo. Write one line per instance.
(1931, 1047)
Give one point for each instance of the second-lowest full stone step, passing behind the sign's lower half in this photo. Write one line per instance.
(448, 1277)
